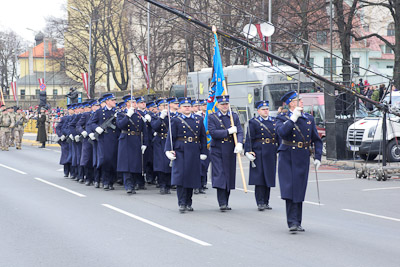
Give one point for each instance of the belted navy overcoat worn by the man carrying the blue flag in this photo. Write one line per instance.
(223, 160)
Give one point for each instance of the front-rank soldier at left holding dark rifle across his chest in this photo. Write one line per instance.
(104, 125)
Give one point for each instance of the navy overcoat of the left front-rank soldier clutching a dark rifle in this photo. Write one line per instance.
(107, 147)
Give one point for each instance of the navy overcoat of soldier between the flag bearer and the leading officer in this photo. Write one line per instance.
(264, 143)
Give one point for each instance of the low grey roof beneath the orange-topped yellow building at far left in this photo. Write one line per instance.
(52, 78)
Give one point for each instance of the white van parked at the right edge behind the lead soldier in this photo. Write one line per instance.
(365, 136)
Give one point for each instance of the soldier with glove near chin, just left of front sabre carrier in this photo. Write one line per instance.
(160, 125)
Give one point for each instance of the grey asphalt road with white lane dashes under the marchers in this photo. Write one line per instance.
(47, 220)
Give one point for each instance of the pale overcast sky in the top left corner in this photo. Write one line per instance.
(18, 15)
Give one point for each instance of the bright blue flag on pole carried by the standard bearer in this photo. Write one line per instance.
(216, 86)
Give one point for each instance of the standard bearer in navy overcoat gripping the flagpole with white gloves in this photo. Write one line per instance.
(223, 150)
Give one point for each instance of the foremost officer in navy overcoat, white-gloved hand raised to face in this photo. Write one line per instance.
(298, 132)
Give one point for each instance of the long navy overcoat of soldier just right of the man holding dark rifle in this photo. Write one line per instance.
(129, 144)
